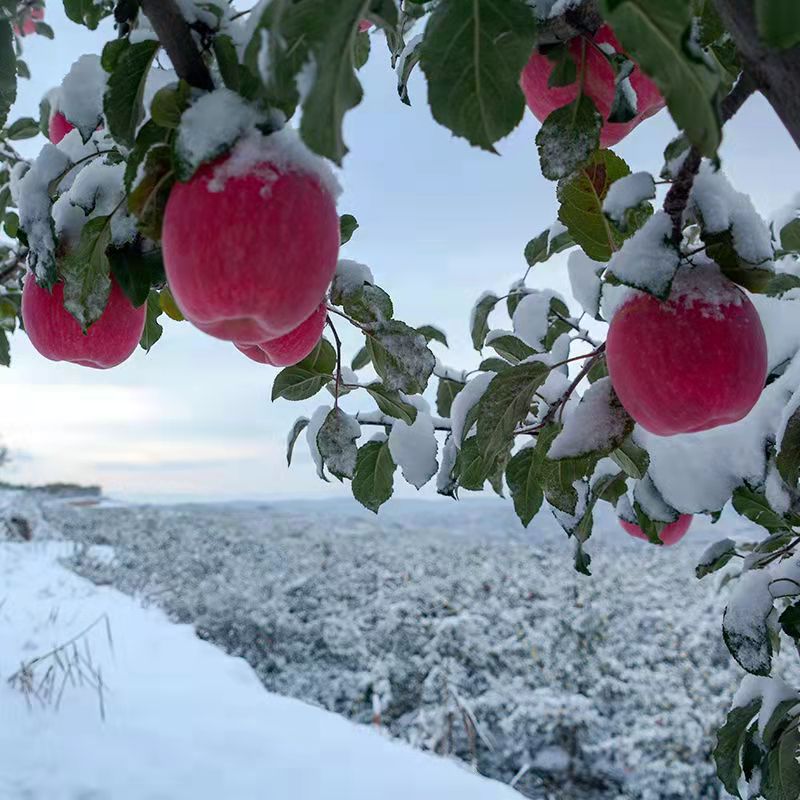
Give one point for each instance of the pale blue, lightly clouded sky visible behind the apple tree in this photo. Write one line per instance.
(440, 222)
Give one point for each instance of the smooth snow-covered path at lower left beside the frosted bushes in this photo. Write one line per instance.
(182, 719)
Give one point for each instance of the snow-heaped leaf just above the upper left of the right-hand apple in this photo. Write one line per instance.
(649, 259)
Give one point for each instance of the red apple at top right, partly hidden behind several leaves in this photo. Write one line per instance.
(599, 86)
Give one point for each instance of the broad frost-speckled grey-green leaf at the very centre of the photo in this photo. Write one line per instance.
(400, 356)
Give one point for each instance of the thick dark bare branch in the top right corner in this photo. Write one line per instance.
(776, 73)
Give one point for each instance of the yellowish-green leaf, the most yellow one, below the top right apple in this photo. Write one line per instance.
(581, 197)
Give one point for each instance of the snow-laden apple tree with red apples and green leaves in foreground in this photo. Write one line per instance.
(203, 190)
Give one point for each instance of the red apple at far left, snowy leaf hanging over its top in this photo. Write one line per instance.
(56, 334)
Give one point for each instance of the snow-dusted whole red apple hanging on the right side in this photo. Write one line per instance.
(693, 362)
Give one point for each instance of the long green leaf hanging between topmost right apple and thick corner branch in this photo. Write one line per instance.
(656, 35)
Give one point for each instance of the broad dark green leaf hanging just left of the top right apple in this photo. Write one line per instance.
(473, 54)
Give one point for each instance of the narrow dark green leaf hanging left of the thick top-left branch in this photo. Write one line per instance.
(122, 103)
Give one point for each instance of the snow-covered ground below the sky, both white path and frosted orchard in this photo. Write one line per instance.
(443, 625)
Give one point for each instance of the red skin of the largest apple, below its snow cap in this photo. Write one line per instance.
(251, 262)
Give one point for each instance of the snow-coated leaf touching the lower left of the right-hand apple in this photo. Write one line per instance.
(597, 427)
